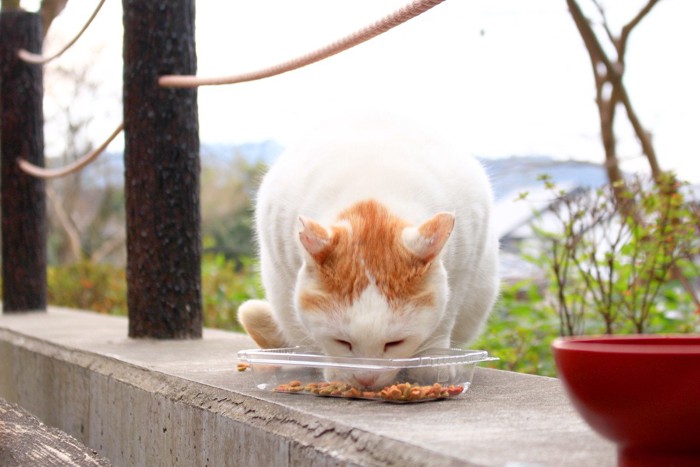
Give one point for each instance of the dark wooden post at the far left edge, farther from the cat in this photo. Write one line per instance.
(22, 135)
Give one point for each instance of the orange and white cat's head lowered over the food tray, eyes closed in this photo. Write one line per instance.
(371, 284)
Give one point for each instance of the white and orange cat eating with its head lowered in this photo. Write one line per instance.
(375, 241)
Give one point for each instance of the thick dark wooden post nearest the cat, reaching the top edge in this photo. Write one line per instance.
(162, 172)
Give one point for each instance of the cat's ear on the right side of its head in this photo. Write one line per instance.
(427, 240)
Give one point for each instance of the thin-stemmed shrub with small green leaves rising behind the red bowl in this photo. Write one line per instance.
(616, 255)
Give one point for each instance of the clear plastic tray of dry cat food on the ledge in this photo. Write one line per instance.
(432, 375)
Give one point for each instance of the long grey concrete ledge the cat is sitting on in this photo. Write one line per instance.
(144, 402)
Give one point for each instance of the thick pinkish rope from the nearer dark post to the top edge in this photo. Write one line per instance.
(400, 16)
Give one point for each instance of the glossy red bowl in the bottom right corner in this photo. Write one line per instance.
(641, 392)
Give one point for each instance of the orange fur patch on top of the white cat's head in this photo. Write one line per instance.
(365, 246)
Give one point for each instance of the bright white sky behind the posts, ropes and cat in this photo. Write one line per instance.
(501, 77)
